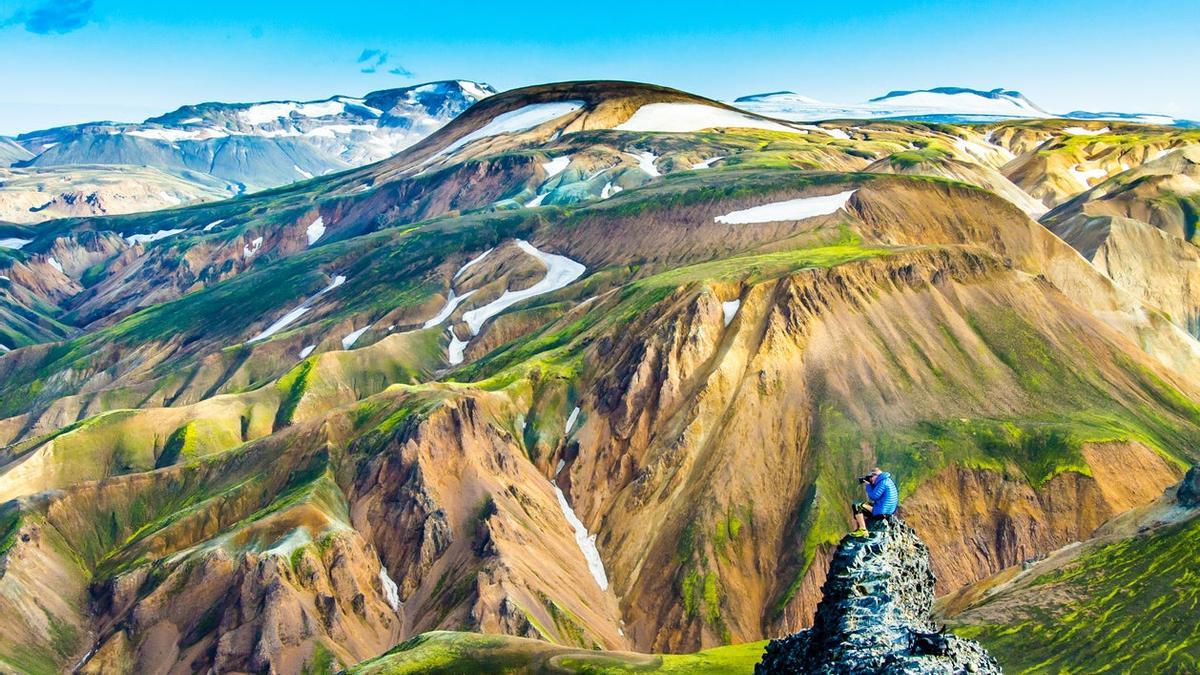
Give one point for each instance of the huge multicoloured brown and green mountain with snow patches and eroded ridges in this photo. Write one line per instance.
(595, 365)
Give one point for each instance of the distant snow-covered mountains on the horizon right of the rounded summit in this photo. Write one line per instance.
(940, 104)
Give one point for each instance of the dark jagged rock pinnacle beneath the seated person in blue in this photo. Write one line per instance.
(875, 616)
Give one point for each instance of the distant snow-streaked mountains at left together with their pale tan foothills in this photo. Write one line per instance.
(220, 150)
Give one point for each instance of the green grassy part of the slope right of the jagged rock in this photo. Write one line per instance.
(1132, 608)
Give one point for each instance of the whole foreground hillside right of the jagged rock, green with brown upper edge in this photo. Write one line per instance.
(1081, 608)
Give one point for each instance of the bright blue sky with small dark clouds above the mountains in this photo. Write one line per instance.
(65, 62)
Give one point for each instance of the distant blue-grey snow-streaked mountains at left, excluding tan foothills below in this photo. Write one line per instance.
(251, 147)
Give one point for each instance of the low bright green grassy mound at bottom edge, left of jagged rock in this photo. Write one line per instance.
(473, 653)
